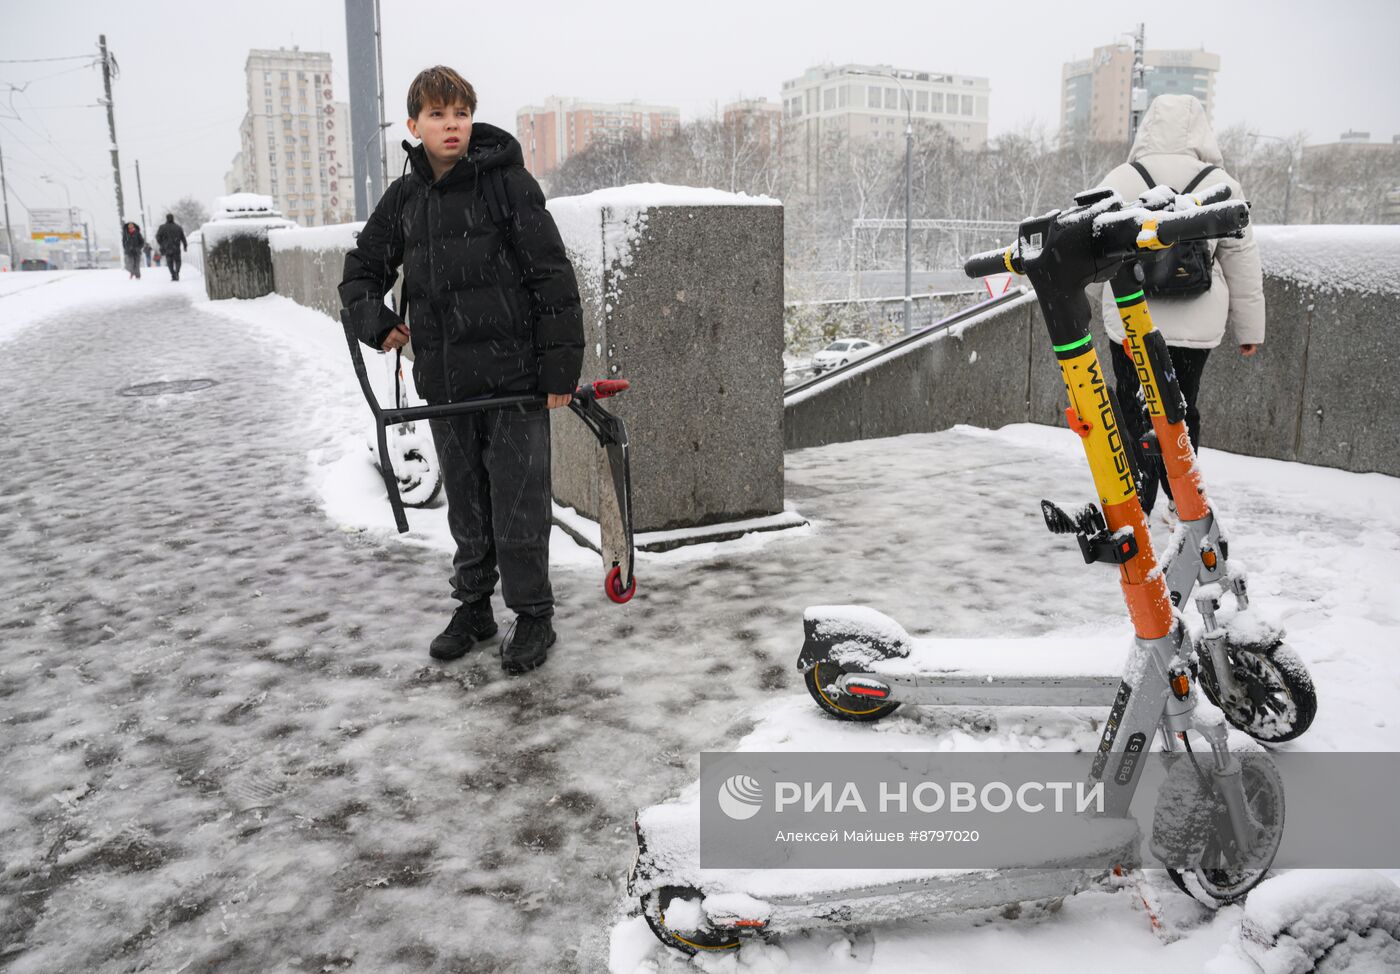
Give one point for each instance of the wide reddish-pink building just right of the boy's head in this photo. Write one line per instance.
(561, 128)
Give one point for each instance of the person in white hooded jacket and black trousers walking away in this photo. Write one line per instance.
(1175, 143)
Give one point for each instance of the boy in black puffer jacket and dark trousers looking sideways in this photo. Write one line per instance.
(493, 307)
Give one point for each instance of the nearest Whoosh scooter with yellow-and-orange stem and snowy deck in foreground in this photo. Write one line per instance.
(695, 909)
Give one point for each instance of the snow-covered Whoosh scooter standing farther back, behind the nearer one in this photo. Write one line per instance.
(1247, 671)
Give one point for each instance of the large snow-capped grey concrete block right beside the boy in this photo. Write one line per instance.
(682, 296)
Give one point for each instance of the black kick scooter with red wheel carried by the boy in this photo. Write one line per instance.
(615, 520)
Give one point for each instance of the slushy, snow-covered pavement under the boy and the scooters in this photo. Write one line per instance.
(225, 747)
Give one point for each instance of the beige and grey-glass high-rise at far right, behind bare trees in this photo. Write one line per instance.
(1097, 93)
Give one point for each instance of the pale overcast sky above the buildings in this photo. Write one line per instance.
(1286, 66)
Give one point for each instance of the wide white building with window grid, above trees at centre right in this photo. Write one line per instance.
(871, 103)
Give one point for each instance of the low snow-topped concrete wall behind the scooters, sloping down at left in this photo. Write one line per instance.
(1321, 390)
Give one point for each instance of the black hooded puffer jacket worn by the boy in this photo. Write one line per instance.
(493, 307)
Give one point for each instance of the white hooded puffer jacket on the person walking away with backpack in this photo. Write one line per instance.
(1175, 142)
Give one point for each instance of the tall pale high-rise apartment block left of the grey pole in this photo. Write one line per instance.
(295, 141)
